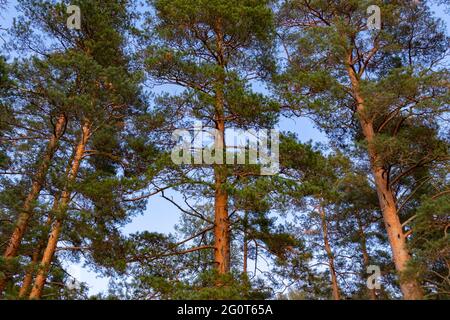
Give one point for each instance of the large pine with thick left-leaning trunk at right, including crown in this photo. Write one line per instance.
(382, 81)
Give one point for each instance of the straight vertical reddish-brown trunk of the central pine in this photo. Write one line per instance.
(221, 218)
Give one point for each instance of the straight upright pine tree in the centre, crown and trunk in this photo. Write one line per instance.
(212, 49)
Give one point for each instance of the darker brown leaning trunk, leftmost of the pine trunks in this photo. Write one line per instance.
(36, 187)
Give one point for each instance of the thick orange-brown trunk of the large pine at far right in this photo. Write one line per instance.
(410, 287)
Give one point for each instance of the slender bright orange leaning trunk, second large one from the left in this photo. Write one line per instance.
(50, 249)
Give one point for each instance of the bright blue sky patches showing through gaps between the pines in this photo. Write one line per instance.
(161, 216)
